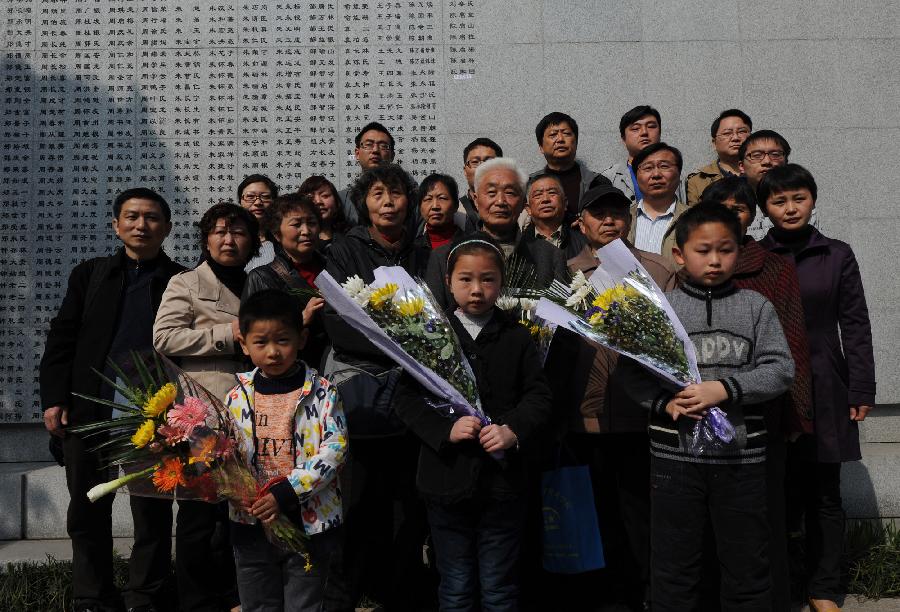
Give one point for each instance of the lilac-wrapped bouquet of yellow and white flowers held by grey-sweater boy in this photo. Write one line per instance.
(620, 307)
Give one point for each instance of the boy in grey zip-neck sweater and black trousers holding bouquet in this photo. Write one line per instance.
(744, 363)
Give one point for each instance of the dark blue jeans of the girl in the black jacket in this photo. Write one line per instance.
(476, 543)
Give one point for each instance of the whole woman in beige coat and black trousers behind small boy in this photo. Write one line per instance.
(197, 324)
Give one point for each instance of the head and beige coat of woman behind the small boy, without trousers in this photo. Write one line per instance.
(197, 320)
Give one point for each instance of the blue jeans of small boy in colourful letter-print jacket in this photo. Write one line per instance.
(273, 580)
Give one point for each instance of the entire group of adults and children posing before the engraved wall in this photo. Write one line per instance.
(418, 510)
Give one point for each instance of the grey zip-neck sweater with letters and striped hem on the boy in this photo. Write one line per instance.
(739, 342)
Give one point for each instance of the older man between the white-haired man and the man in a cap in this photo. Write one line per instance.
(547, 210)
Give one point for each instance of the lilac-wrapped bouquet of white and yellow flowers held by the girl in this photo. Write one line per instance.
(400, 316)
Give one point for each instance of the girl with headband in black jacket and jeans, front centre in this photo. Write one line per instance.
(473, 476)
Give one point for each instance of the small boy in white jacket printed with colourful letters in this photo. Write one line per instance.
(294, 431)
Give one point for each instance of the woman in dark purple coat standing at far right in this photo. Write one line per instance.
(840, 343)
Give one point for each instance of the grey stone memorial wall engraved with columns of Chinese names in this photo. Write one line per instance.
(188, 97)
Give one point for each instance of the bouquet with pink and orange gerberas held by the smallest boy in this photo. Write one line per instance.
(172, 438)
